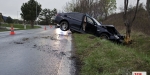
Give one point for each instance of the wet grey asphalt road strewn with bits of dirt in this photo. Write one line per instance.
(36, 52)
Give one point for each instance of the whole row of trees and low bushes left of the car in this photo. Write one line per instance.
(32, 13)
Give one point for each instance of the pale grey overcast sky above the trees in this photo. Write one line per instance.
(12, 7)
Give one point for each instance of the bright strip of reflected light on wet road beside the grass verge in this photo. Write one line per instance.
(66, 66)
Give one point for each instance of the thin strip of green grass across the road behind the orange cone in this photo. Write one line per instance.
(19, 26)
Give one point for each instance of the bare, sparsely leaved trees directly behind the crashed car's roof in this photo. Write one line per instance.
(99, 9)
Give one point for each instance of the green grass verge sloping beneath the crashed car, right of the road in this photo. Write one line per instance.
(102, 57)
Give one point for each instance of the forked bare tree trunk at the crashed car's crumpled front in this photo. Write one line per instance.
(128, 22)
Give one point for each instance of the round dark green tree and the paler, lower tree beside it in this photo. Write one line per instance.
(31, 10)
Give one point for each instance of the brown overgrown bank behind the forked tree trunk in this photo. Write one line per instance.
(140, 24)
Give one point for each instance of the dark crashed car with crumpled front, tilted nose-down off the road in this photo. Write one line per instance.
(83, 23)
